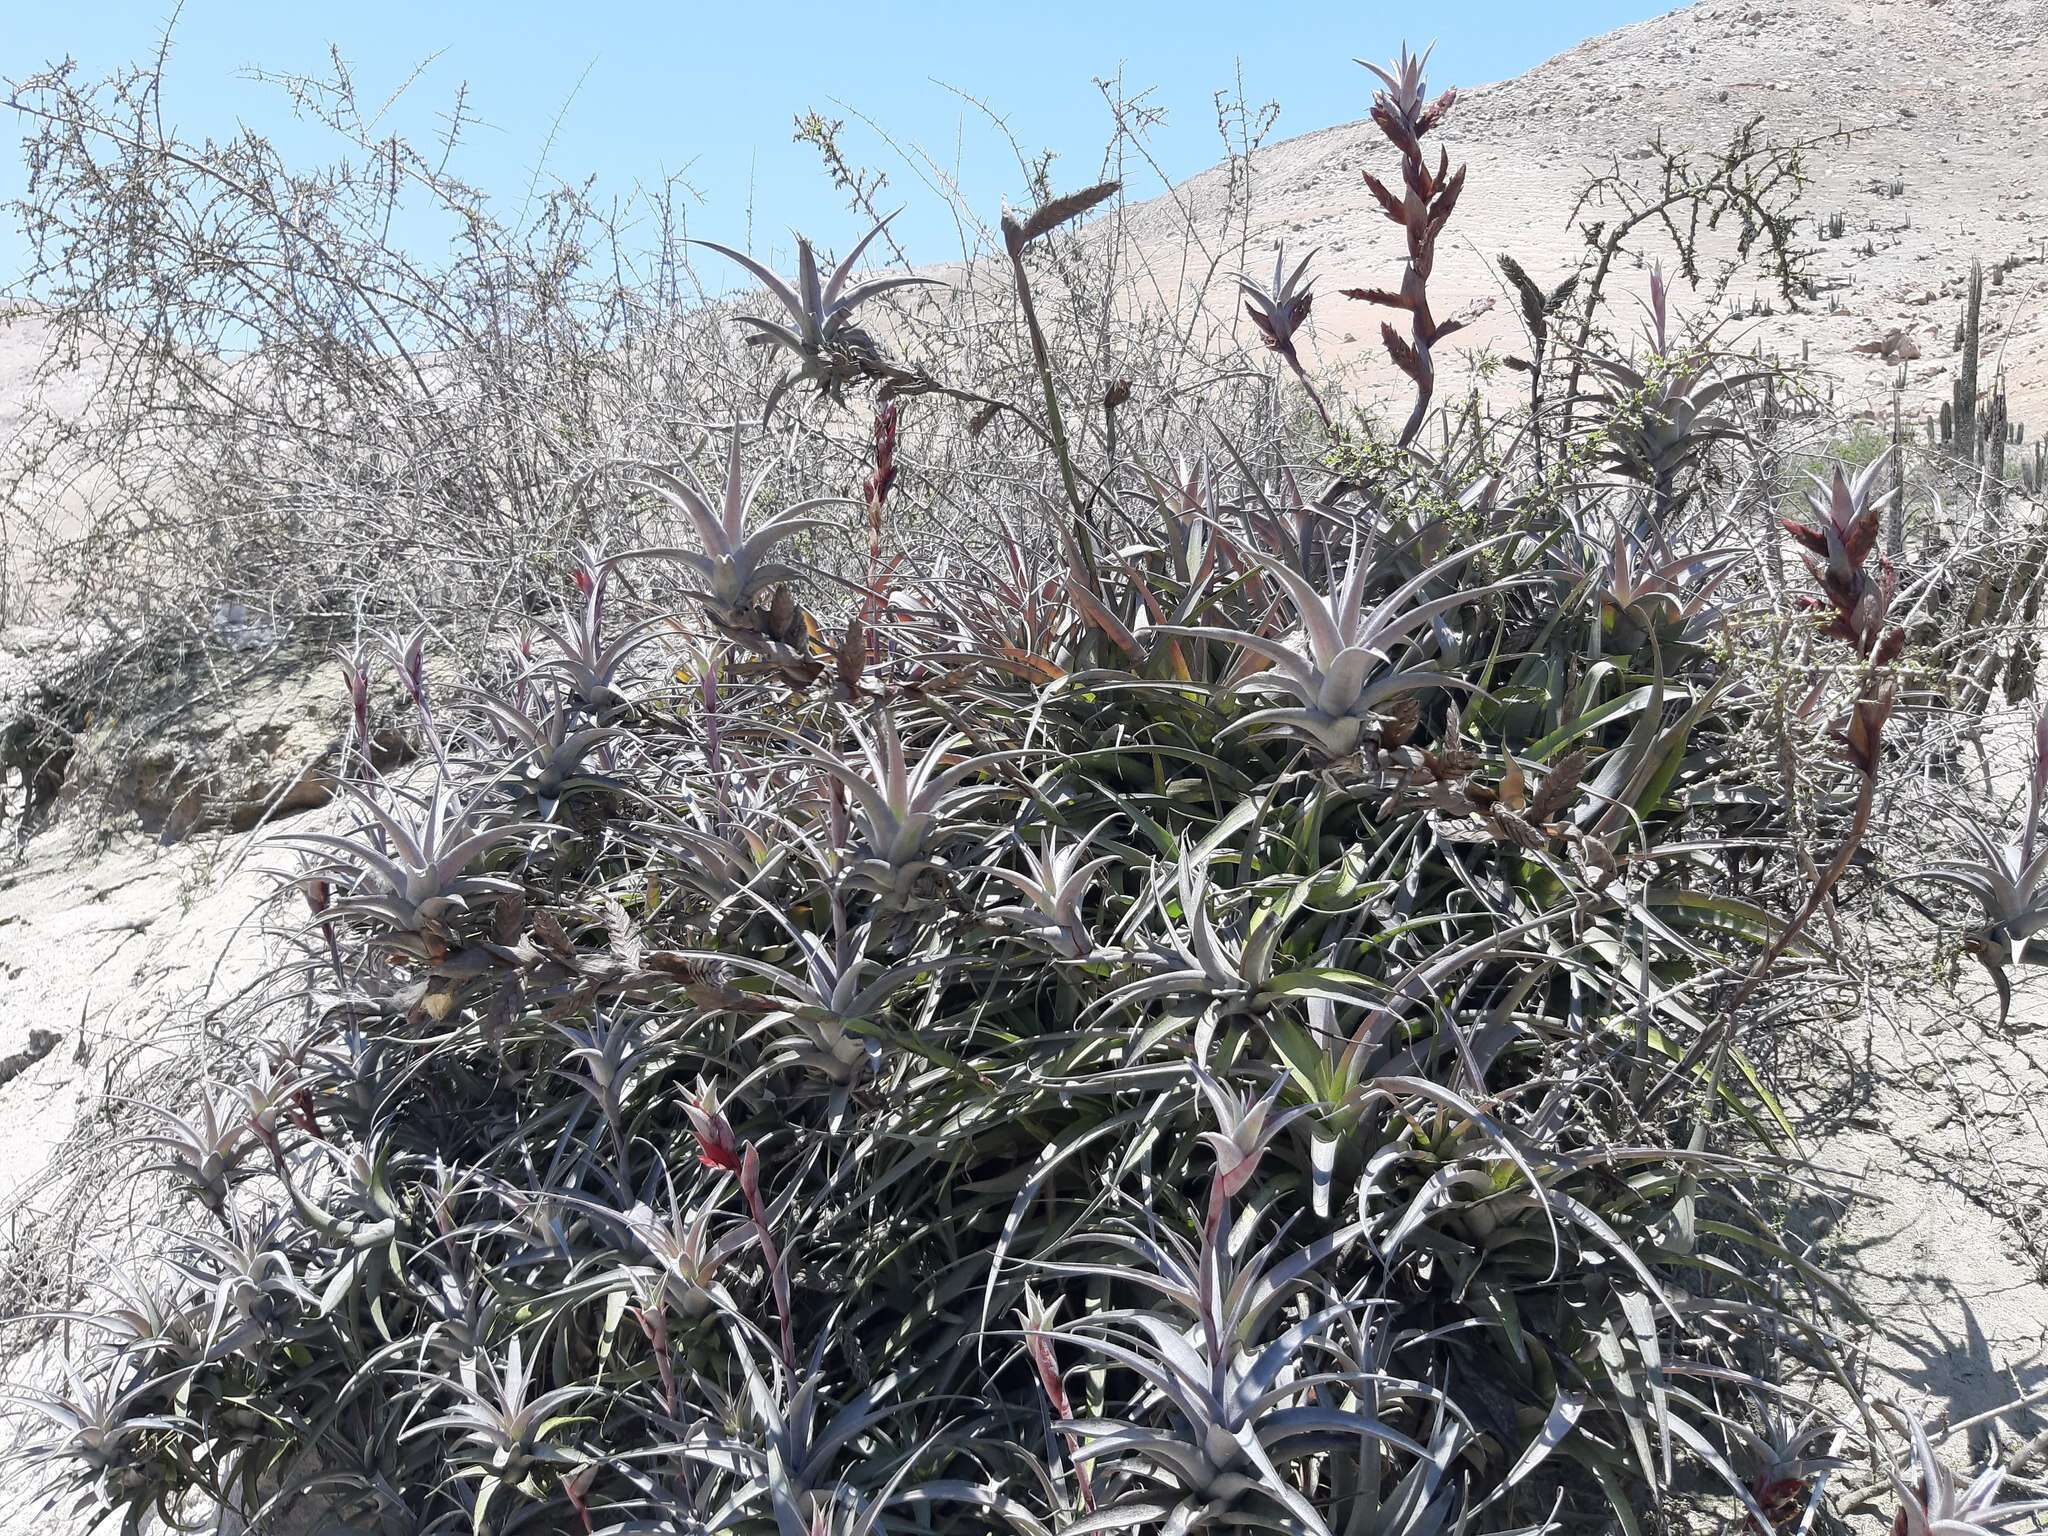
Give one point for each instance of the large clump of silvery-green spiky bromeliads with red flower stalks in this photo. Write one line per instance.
(1220, 1015)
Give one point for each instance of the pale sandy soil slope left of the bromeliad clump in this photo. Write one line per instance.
(120, 972)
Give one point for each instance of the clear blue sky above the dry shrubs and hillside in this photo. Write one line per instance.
(710, 91)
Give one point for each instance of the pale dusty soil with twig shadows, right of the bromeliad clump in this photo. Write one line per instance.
(1928, 1119)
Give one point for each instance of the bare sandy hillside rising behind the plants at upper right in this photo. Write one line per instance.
(1945, 97)
